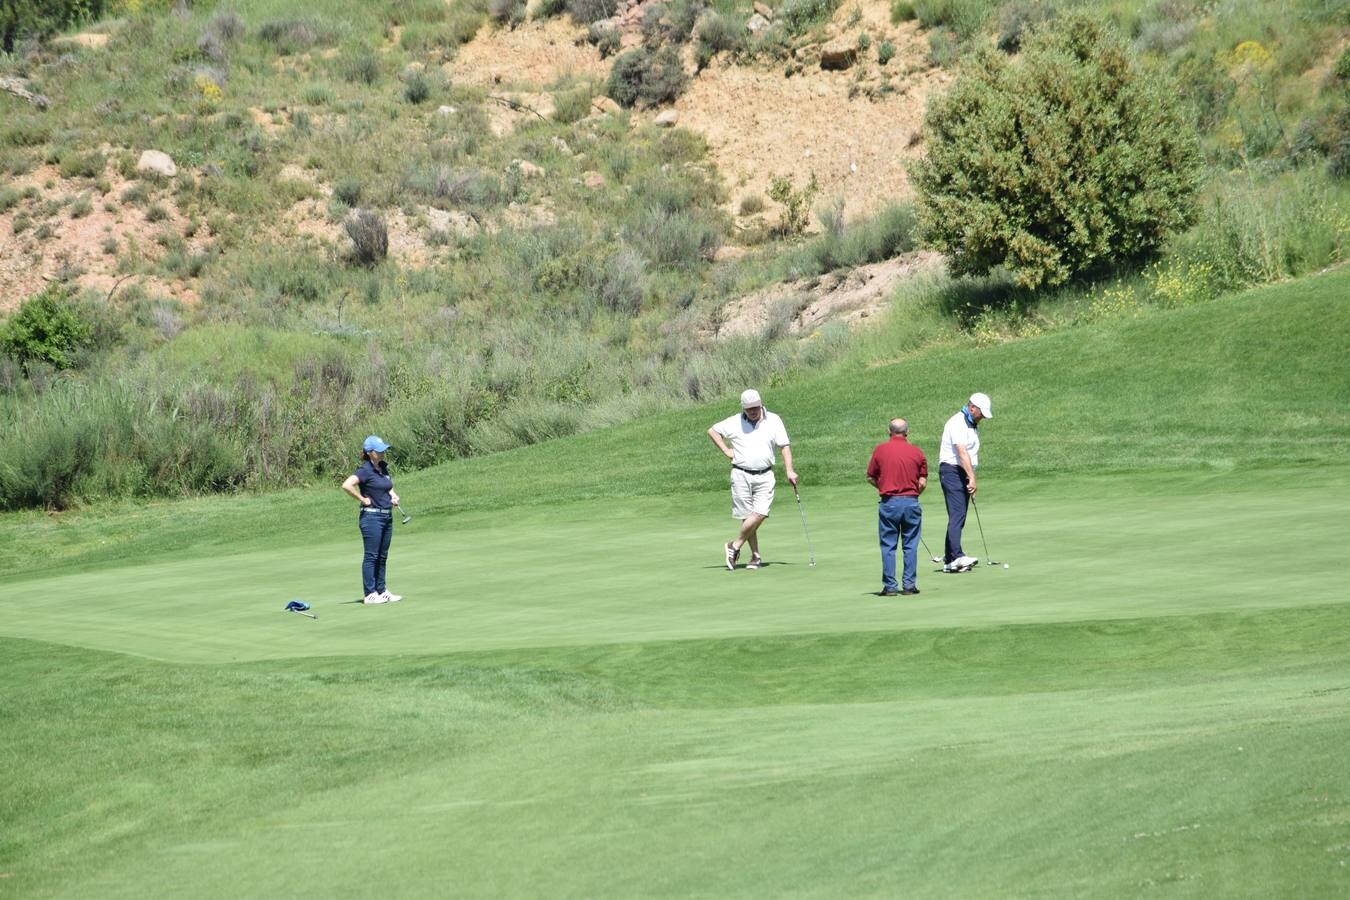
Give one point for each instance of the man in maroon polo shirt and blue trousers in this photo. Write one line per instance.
(898, 472)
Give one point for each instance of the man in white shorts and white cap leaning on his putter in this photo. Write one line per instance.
(753, 437)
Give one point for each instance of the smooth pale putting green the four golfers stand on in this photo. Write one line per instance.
(649, 571)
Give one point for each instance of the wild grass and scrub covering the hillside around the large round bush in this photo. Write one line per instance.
(553, 303)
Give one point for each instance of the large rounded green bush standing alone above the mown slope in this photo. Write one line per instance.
(1063, 161)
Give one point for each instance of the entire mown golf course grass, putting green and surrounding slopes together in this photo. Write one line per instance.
(577, 701)
